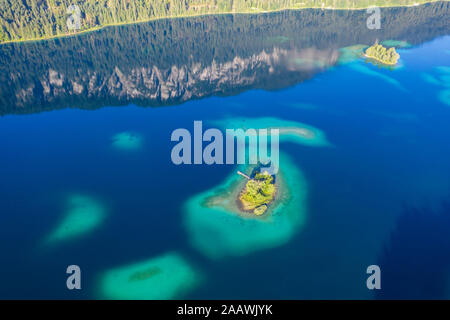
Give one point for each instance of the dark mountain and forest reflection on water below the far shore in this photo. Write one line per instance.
(171, 61)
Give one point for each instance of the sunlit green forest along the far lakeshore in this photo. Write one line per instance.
(35, 19)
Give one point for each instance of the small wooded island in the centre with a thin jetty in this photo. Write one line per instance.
(258, 193)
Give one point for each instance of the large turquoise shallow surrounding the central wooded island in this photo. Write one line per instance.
(217, 228)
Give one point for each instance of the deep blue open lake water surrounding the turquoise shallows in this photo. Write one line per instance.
(390, 151)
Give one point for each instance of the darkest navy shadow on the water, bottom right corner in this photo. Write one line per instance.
(415, 264)
